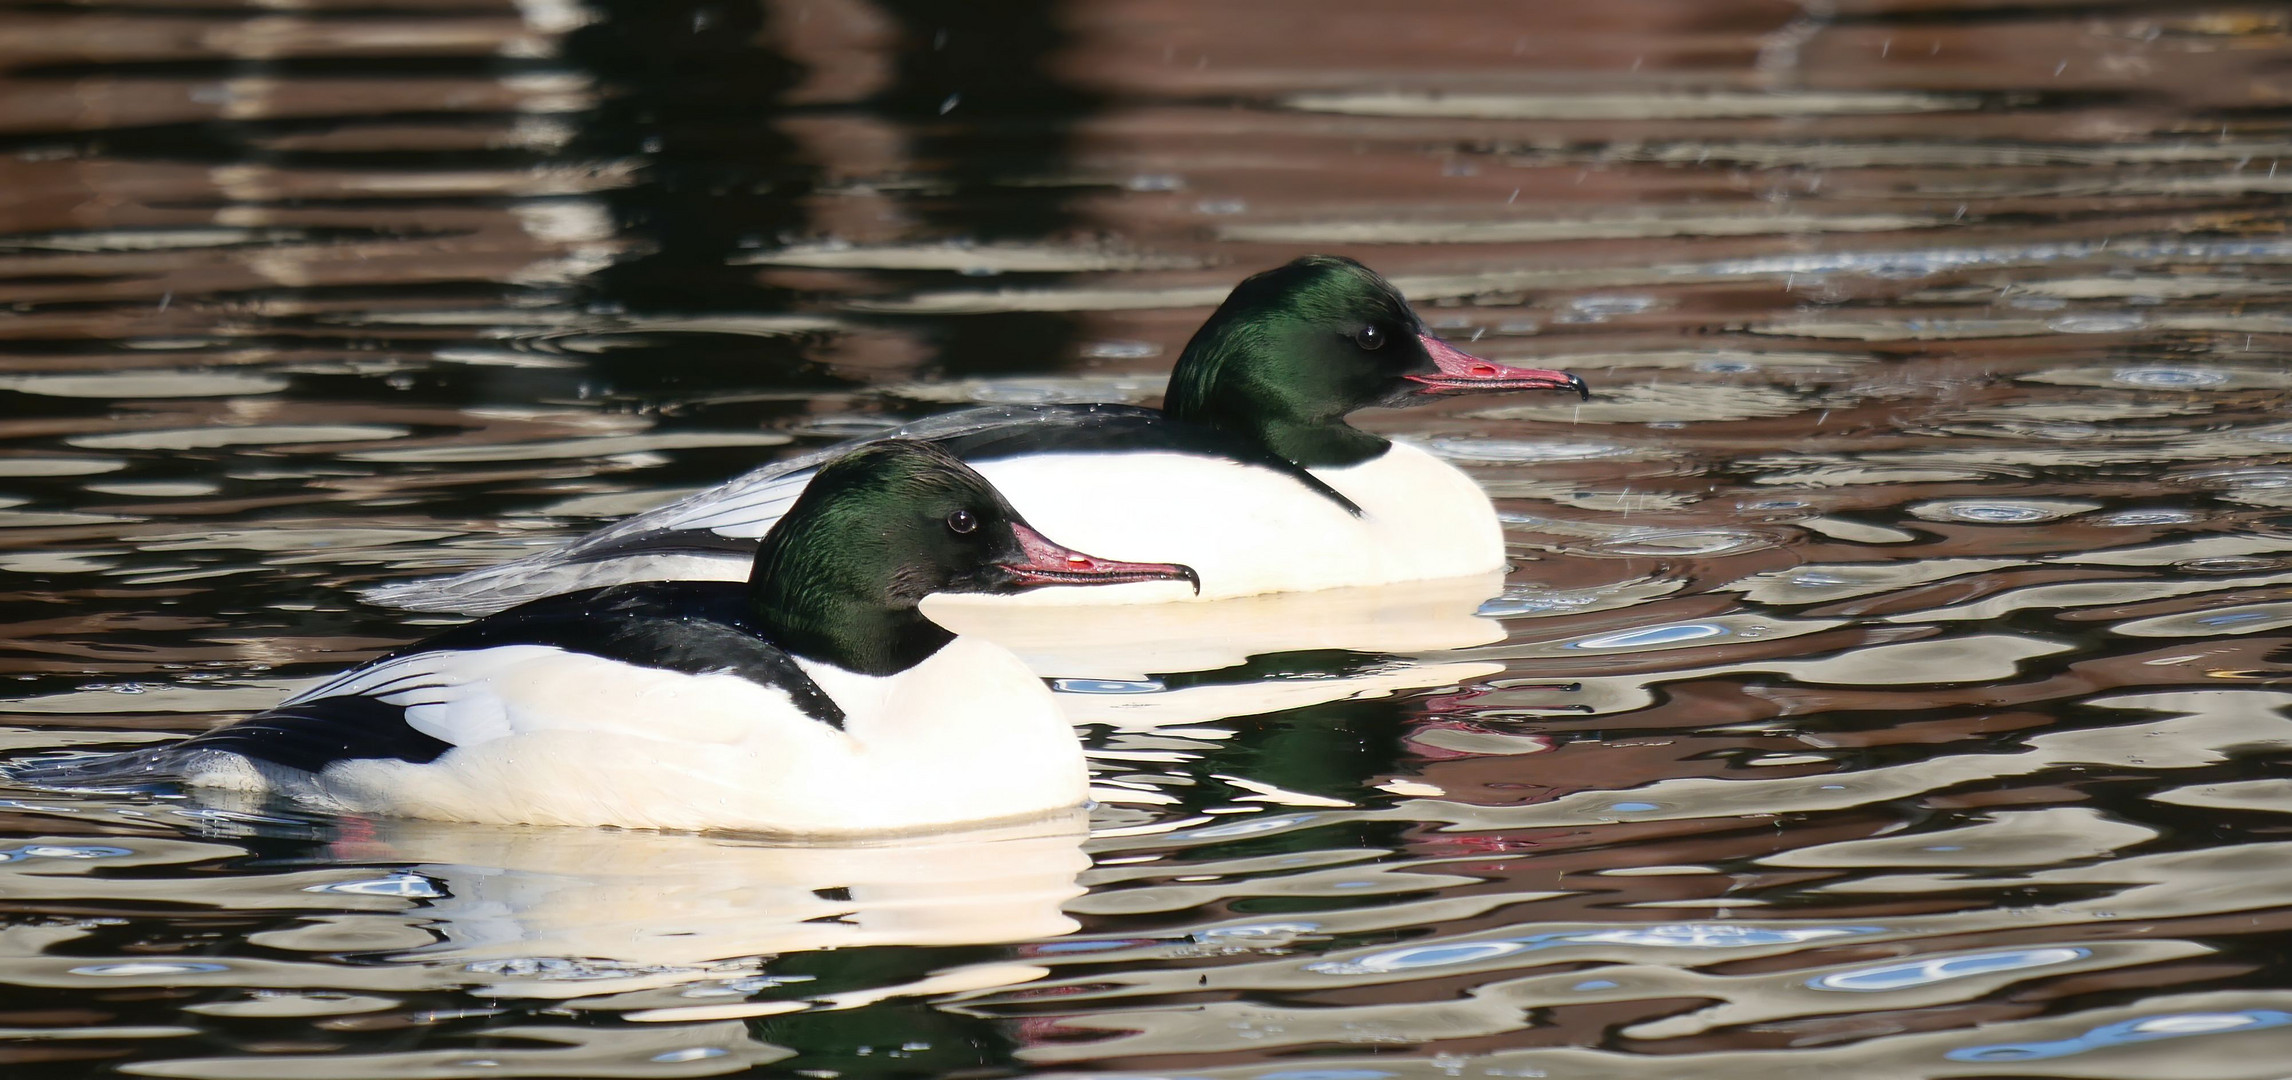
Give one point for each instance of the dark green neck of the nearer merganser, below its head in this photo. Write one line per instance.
(826, 611)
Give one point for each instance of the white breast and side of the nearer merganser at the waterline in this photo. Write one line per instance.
(570, 739)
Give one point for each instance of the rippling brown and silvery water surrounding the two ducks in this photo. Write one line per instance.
(1892, 675)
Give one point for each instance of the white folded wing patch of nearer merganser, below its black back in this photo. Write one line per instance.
(480, 696)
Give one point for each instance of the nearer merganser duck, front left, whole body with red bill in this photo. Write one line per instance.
(810, 701)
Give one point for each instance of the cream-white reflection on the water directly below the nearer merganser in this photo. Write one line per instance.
(579, 911)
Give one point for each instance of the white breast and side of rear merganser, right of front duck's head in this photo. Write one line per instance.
(1253, 531)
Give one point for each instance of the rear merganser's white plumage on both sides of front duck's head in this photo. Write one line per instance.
(1248, 531)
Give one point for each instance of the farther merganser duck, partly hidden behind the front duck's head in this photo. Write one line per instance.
(1248, 474)
